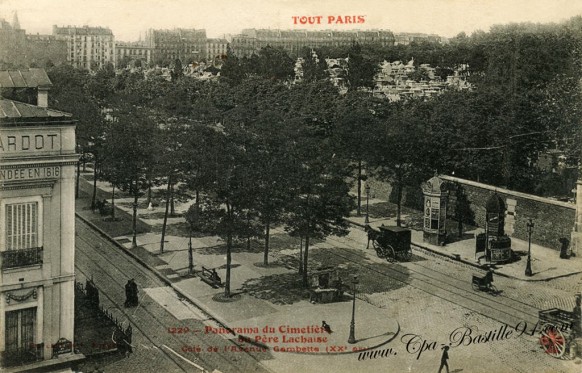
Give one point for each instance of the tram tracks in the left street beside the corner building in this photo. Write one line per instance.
(88, 249)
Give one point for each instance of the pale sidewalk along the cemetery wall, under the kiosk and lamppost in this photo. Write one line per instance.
(546, 263)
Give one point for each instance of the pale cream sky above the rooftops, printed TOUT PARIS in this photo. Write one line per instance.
(128, 19)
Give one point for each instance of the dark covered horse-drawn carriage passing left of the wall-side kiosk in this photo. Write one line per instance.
(390, 242)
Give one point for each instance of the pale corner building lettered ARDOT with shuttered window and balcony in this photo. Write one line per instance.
(37, 230)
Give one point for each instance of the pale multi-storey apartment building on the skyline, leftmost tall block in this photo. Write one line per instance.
(88, 48)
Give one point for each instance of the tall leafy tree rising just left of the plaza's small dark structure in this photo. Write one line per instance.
(317, 183)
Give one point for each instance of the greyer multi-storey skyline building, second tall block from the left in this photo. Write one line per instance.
(187, 45)
